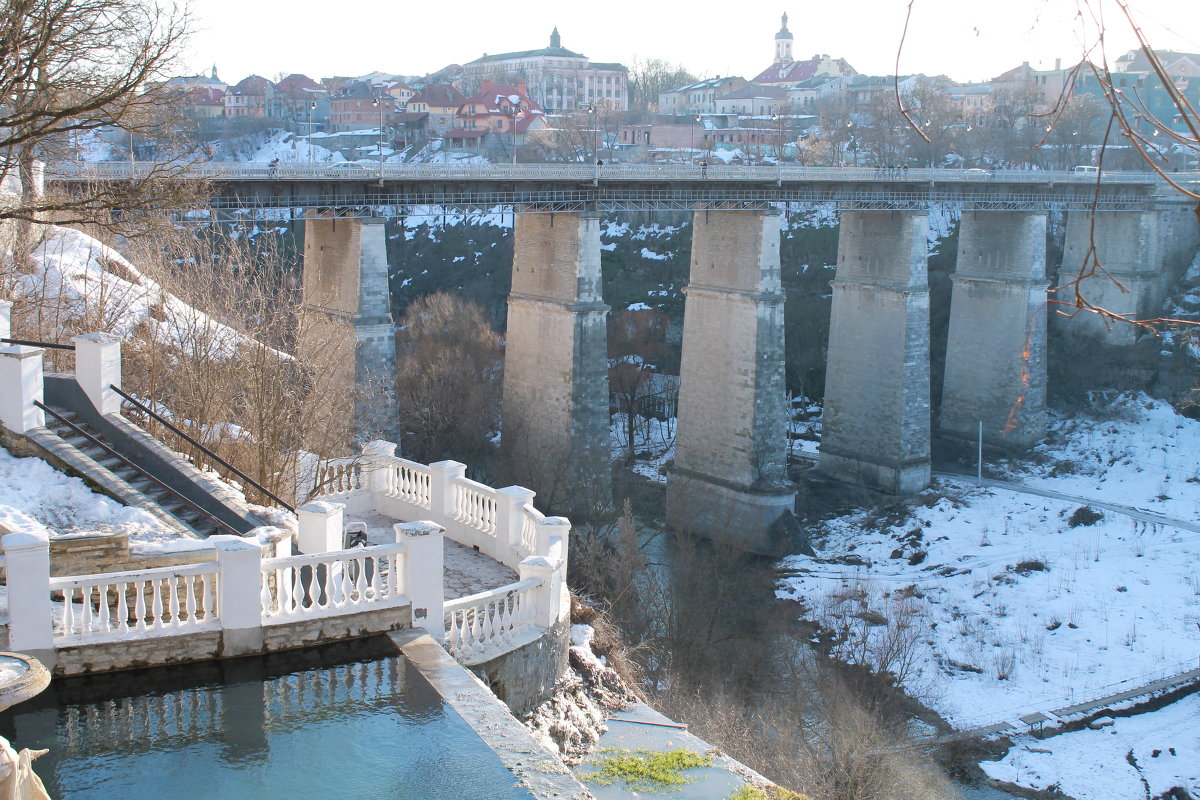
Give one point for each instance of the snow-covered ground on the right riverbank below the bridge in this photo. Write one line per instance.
(1028, 604)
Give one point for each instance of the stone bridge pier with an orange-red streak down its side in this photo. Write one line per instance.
(995, 358)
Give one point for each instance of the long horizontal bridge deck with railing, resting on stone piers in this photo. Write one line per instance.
(389, 189)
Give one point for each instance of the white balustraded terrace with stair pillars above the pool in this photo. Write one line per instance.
(382, 545)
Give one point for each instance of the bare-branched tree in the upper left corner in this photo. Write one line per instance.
(74, 68)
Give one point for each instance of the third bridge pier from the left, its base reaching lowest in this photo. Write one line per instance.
(729, 480)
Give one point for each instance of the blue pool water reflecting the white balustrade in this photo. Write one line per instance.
(368, 729)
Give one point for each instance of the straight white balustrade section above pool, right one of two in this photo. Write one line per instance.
(325, 585)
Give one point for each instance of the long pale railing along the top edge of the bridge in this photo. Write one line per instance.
(357, 172)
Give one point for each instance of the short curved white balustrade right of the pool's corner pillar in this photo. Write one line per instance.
(491, 621)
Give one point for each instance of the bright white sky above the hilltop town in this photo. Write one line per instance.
(967, 40)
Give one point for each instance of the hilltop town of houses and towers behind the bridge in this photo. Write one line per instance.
(553, 104)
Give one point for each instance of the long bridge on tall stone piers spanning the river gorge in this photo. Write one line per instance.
(729, 474)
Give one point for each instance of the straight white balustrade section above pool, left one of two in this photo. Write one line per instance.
(121, 605)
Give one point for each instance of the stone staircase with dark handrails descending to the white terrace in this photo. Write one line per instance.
(124, 479)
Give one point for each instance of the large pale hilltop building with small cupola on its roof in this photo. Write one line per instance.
(557, 79)
